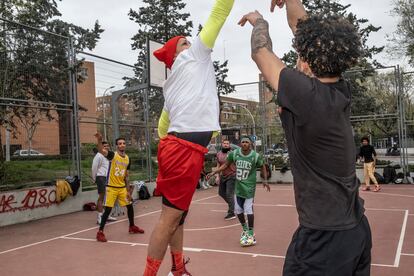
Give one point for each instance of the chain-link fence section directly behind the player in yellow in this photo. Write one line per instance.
(114, 106)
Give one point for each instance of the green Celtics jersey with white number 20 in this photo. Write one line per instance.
(246, 166)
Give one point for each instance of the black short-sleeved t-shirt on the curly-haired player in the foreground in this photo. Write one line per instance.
(315, 117)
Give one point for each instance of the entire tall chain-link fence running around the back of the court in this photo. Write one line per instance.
(52, 102)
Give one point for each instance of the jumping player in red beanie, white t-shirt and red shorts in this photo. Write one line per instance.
(190, 117)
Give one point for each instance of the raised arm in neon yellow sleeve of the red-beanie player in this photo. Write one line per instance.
(218, 16)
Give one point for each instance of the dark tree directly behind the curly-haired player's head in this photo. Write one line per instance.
(362, 103)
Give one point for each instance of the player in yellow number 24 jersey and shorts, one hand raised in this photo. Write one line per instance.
(117, 187)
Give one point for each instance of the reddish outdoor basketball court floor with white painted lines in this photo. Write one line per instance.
(66, 245)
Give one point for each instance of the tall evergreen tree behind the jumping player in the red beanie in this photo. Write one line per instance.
(160, 20)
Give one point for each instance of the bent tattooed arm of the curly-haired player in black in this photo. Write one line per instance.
(262, 48)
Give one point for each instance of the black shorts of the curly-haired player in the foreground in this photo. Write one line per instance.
(330, 253)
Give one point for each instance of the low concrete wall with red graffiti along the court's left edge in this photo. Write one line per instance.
(36, 203)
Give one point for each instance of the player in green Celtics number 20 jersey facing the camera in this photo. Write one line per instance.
(246, 161)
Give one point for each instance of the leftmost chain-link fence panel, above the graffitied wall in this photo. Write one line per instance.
(37, 99)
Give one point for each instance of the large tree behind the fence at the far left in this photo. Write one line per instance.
(36, 67)
